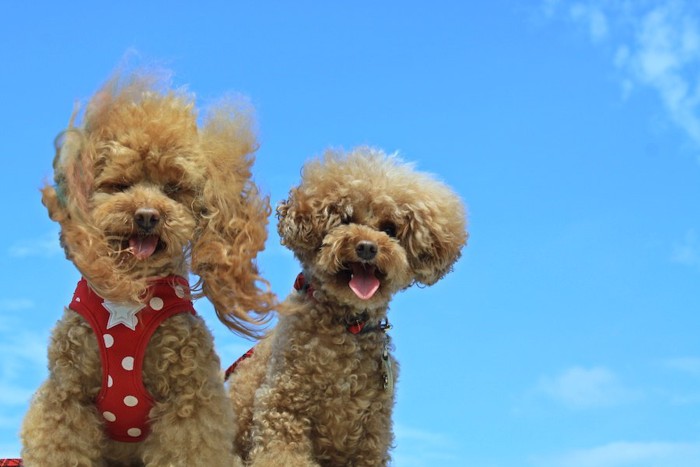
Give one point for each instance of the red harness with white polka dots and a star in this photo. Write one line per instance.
(123, 331)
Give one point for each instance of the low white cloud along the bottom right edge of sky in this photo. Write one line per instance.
(629, 454)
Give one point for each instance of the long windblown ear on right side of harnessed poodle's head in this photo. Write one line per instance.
(233, 228)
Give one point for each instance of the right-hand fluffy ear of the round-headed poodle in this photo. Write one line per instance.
(435, 232)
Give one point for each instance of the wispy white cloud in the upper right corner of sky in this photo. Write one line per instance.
(656, 45)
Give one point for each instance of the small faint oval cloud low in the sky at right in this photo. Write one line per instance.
(582, 388)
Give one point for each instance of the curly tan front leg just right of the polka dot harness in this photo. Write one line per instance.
(193, 427)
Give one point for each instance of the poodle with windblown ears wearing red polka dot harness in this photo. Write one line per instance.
(144, 196)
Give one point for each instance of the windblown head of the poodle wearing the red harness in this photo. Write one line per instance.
(141, 191)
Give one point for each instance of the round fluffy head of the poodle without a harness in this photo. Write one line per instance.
(365, 226)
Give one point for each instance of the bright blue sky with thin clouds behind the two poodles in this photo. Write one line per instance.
(568, 333)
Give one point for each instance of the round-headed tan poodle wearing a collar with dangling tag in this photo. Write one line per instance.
(319, 389)
